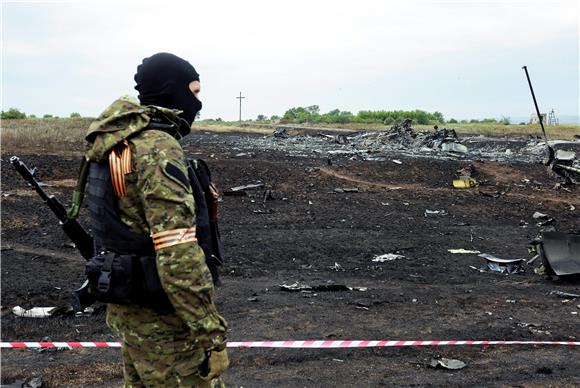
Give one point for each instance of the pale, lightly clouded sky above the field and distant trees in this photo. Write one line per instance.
(461, 58)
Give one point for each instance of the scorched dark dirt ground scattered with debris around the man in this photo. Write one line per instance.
(311, 233)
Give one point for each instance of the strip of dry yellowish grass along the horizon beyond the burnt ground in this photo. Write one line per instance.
(57, 135)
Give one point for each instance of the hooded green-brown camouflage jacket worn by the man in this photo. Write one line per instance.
(156, 202)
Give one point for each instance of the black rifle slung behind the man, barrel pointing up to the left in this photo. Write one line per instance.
(75, 232)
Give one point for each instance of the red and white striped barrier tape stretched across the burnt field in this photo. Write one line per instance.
(308, 344)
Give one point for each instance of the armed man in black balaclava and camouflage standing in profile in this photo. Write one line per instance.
(141, 205)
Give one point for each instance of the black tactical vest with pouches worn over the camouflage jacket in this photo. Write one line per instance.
(123, 270)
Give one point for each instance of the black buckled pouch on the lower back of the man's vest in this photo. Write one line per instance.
(112, 277)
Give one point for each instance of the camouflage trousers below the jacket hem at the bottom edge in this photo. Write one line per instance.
(142, 368)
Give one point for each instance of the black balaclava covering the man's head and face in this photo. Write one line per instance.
(163, 79)
